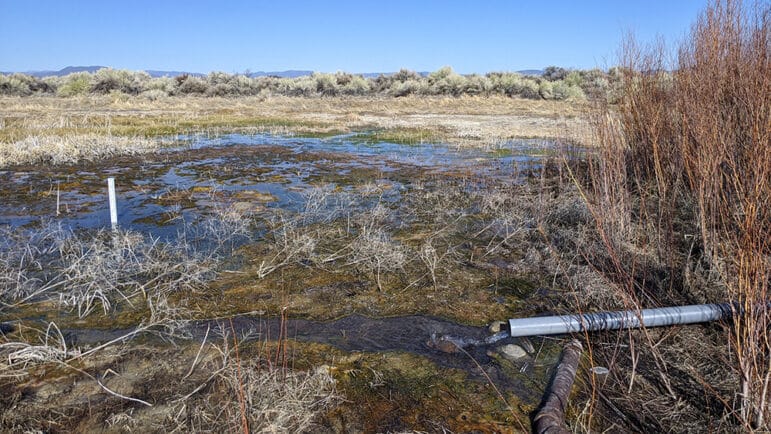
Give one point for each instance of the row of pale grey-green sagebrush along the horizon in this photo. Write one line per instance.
(554, 84)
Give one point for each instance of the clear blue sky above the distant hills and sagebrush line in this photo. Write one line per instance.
(354, 36)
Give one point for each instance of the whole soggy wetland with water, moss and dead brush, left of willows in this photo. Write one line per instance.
(347, 274)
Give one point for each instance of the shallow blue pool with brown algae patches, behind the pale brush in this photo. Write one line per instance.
(159, 193)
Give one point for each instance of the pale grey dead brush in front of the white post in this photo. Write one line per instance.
(86, 271)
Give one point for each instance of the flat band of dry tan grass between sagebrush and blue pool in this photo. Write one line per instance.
(68, 130)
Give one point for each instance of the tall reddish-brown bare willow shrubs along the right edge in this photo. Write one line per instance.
(682, 181)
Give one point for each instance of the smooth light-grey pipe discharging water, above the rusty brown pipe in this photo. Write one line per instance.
(664, 316)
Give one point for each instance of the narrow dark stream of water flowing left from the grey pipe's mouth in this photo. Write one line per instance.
(357, 333)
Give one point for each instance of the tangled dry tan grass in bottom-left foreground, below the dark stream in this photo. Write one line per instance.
(193, 387)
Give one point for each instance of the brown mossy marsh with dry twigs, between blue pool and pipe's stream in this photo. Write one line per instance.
(440, 246)
